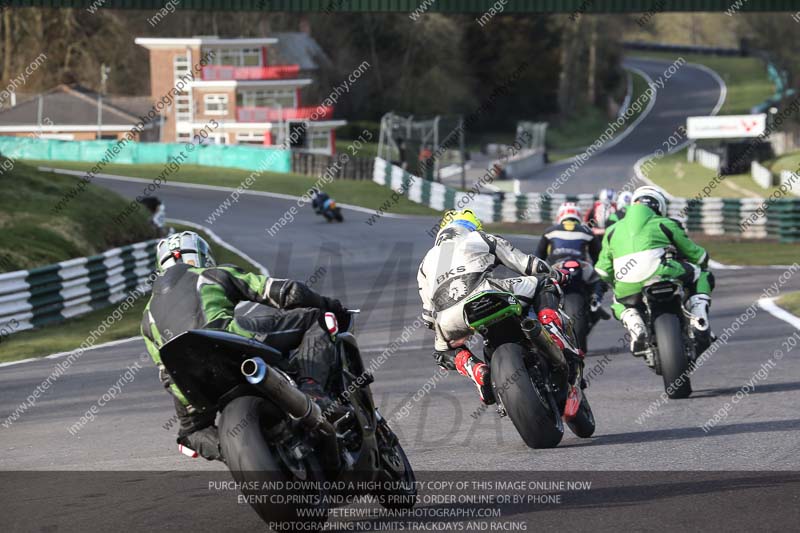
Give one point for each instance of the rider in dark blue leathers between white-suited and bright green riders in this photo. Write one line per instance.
(569, 239)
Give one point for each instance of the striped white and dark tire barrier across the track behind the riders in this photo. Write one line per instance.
(773, 217)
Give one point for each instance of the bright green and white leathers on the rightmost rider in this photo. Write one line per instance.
(633, 251)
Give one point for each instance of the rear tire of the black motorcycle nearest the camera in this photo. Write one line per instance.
(251, 459)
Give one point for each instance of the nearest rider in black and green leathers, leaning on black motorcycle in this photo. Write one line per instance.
(191, 292)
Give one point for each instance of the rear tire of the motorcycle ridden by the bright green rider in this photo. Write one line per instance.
(674, 365)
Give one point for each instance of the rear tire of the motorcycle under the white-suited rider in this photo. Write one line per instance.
(528, 411)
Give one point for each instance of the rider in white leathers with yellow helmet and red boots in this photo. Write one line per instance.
(459, 265)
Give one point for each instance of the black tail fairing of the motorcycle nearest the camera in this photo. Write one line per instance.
(206, 364)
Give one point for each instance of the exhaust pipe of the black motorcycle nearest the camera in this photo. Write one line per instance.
(278, 388)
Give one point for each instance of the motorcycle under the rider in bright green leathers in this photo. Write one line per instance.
(672, 344)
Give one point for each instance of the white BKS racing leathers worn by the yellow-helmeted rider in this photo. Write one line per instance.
(458, 266)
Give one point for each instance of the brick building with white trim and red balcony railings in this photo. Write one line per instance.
(244, 86)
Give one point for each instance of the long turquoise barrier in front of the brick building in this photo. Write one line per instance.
(218, 155)
